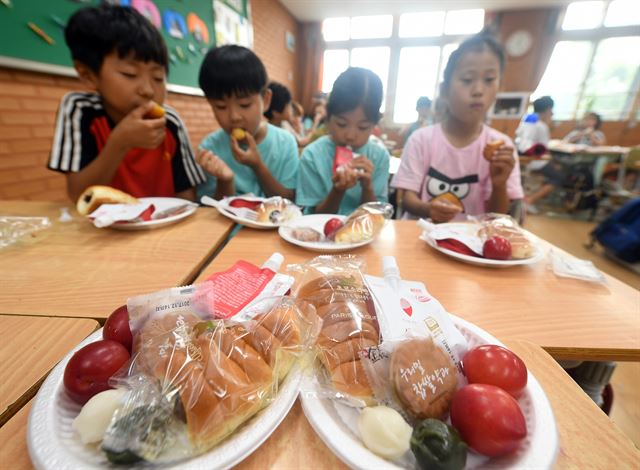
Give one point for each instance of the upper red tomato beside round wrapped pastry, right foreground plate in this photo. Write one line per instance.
(494, 365)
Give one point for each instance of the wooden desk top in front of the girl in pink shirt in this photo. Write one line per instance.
(571, 319)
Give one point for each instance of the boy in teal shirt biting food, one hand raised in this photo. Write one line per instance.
(247, 155)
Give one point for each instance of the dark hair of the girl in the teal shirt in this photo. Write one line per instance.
(356, 87)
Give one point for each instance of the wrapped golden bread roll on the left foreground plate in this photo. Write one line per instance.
(223, 375)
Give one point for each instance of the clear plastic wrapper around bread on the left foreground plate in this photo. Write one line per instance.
(194, 378)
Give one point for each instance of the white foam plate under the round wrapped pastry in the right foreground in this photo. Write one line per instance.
(538, 450)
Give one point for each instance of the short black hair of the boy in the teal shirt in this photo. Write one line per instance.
(232, 70)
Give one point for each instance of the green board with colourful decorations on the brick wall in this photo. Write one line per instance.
(21, 47)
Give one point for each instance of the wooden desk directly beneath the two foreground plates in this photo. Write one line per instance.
(588, 438)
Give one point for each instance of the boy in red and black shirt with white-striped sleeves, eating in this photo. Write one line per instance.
(105, 137)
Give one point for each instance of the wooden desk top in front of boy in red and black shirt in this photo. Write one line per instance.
(74, 269)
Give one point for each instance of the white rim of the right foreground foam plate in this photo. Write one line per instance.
(544, 445)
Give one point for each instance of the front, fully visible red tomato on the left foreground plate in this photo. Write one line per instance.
(90, 368)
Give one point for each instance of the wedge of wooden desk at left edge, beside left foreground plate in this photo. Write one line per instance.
(31, 346)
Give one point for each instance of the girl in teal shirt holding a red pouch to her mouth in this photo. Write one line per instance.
(353, 110)
